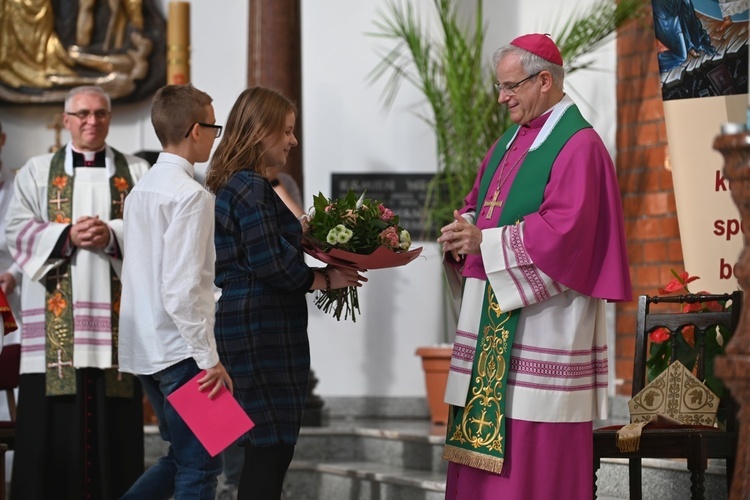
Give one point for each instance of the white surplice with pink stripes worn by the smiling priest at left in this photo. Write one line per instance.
(32, 237)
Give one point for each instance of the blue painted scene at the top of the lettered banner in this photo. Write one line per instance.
(702, 47)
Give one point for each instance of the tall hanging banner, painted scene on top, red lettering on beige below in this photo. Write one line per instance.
(703, 52)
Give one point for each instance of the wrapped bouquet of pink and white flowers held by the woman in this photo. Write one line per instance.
(355, 232)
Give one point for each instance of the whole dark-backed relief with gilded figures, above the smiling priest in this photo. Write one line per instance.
(49, 46)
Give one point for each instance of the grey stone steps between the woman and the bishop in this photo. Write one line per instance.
(368, 459)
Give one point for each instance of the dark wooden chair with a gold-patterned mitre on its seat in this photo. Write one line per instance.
(696, 444)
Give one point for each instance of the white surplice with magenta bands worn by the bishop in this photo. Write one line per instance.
(559, 355)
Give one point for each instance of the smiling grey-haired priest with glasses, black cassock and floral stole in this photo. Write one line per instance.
(80, 422)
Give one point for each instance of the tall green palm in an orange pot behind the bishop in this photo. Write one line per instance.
(446, 62)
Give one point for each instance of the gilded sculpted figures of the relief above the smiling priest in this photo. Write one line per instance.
(32, 56)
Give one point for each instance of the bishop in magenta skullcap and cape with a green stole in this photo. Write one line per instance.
(541, 247)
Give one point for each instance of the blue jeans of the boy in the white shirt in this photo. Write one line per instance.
(187, 471)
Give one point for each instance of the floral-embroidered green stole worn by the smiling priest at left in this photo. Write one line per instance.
(61, 375)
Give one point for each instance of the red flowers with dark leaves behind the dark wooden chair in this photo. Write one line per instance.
(660, 349)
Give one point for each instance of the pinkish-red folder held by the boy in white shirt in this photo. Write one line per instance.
(217, 422)
